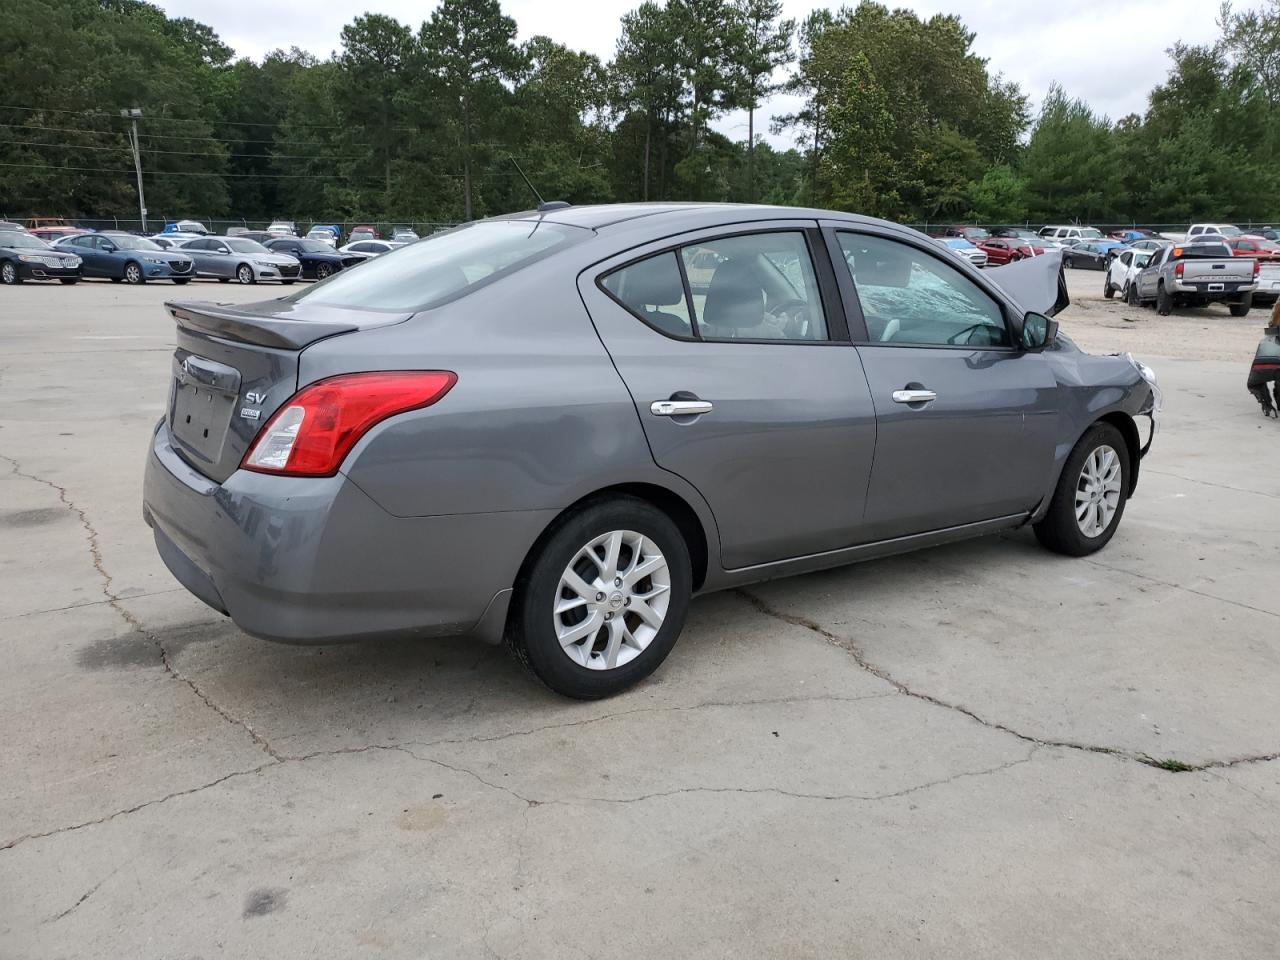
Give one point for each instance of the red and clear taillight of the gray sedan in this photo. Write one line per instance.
(314, 432)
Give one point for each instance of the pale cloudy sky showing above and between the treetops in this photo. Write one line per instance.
(1110, 53)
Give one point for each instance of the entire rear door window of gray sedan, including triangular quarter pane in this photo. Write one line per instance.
(752, 287)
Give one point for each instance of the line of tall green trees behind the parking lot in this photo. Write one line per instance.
(898, 117)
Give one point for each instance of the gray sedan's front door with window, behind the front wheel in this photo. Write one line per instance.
(967, 420)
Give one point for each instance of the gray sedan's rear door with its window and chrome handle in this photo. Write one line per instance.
(734, 348)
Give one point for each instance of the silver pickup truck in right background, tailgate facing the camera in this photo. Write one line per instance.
(1197, 275)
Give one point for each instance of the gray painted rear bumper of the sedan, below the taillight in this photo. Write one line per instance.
(312, 561)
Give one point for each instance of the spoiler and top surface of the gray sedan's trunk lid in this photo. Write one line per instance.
(276, 323)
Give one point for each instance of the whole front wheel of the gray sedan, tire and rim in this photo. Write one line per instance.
(1095, 482)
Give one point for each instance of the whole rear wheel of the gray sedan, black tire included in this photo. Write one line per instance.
(547, 624)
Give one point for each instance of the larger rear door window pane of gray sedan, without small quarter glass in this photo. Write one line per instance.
(761, 287)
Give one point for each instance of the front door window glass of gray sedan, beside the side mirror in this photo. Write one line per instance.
(912, 298)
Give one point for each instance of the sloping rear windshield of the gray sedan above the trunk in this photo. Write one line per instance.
(444, 267)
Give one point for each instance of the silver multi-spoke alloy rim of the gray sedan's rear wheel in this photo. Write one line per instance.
(612, 600)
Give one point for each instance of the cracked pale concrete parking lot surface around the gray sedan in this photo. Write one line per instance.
(980, 751)
